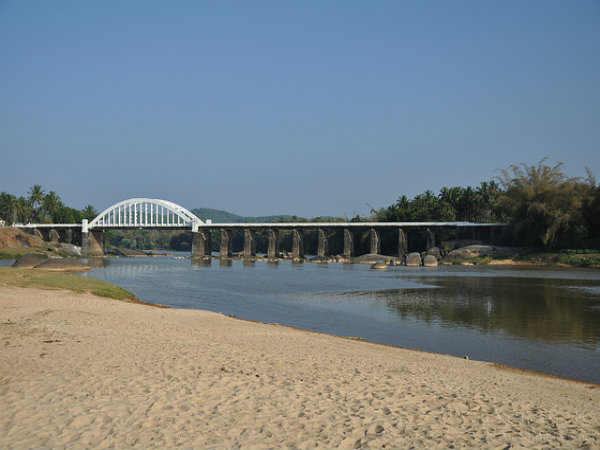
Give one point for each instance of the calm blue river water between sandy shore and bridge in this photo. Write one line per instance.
(538, 319)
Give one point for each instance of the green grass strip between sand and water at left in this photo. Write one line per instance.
(11, 276)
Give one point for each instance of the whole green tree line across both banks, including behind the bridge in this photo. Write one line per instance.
(543, 206)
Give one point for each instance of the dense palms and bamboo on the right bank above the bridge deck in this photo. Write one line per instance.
(543, 206)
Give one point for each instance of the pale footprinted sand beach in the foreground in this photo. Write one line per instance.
(78, 371)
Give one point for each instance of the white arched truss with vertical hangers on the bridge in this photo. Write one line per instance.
(145, 213)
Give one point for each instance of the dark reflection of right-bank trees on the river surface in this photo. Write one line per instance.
(546, 310)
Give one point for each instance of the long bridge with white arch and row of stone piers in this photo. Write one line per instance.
(156, 214)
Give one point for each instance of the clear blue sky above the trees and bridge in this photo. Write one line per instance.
(291, 107)
